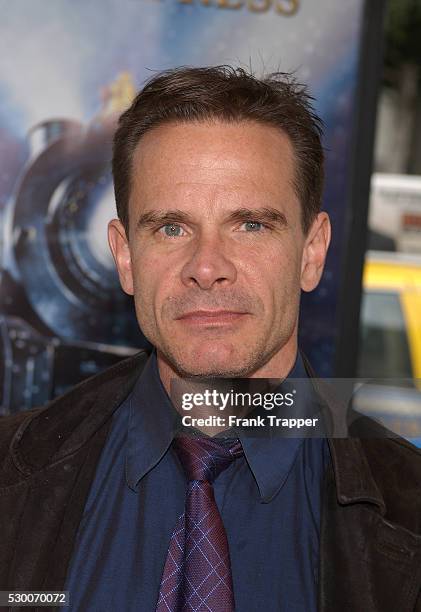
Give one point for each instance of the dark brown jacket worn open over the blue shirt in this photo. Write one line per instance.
(370, 549)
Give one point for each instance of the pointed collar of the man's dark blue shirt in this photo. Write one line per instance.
(153, 421)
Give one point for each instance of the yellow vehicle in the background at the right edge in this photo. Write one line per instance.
(390, 343)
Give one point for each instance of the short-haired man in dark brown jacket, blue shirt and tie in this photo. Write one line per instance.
(218, 181)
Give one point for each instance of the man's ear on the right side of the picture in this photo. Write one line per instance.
(314, 253)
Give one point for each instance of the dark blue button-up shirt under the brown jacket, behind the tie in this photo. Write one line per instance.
(269, 500)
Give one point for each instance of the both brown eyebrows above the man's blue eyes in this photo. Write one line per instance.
(268, 215)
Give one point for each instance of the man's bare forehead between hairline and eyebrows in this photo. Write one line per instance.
(244, 158)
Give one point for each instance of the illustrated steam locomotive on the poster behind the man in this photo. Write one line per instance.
(63, 315)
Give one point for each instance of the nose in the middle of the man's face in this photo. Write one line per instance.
(208, 265)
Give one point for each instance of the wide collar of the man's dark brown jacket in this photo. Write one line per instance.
(69, 421)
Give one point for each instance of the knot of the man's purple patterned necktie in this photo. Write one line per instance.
(203, 458)
